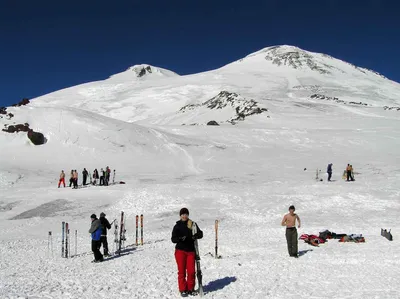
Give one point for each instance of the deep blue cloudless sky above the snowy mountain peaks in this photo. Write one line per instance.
(49, 45)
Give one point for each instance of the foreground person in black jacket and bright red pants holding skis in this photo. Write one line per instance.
(185, 254)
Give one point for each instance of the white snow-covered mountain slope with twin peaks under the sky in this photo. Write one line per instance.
(246, 175)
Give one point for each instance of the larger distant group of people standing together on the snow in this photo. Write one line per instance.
(104, 177)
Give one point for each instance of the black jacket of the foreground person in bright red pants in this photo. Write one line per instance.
(183, 238)
